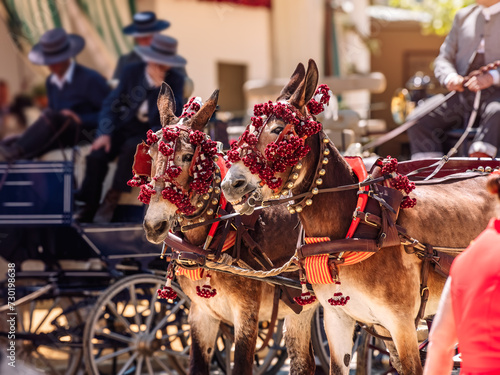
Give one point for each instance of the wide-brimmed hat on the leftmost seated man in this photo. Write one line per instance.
(55, 46)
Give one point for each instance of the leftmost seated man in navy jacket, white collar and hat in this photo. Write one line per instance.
(75, 95)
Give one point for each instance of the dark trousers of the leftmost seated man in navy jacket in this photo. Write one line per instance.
(49, 132)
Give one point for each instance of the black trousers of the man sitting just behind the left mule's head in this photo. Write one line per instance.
(123, 146)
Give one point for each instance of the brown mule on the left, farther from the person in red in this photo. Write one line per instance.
(239, 301)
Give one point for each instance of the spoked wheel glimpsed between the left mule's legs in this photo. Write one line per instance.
(267, 361)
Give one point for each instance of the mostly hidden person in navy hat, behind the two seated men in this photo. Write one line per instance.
(144, 26)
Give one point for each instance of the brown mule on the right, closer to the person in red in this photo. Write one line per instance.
(384, 289)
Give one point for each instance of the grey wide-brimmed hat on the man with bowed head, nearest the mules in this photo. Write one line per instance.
(163, 51)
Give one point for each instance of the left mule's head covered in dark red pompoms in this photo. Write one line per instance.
(176, 151)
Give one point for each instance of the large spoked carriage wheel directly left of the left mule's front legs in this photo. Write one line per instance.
(131, 331)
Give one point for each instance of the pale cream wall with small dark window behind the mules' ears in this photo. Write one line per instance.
(209, 33)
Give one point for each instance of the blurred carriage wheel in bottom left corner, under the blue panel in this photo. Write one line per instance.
(48, 334)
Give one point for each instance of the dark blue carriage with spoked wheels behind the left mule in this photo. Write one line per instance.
(85, 295)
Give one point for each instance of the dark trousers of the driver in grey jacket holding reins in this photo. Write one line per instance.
(430, 133)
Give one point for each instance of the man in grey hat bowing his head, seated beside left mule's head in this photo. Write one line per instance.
(127, 114)
